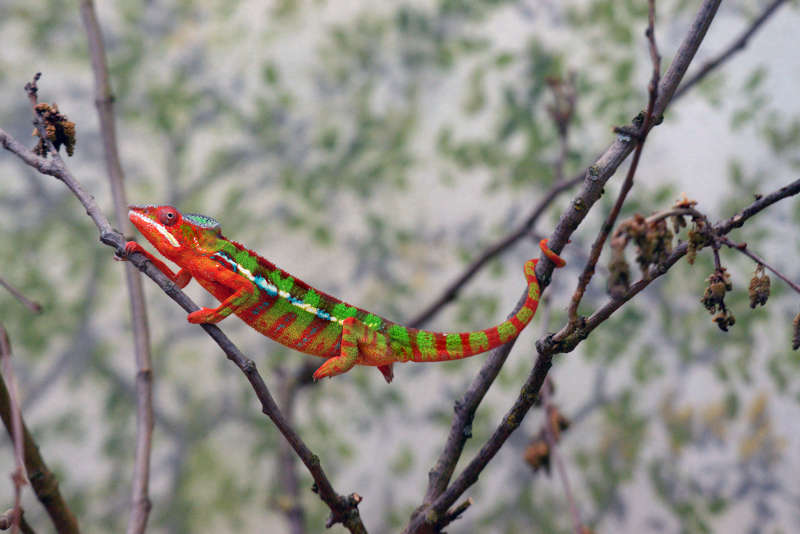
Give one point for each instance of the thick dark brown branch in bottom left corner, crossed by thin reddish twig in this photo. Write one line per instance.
(43, 482)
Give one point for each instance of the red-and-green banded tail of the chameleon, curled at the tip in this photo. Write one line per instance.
(439, 346)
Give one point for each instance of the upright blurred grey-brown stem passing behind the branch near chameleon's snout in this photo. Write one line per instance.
(104, 101)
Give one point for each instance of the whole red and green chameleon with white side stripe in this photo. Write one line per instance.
(297, 315)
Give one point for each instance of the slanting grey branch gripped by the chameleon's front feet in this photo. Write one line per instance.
(344, 509)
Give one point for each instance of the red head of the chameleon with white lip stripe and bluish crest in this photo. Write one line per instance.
(170, 231)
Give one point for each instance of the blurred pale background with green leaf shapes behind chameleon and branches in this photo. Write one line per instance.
(374, 150)
